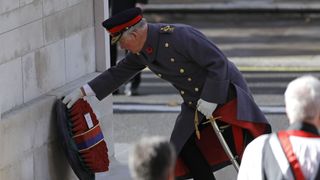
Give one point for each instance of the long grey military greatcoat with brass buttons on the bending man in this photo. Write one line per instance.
(184, 57)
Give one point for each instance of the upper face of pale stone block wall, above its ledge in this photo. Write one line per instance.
(44, 45)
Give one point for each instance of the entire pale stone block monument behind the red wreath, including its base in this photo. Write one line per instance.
(47, 48)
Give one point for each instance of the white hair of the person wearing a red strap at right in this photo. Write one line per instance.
(302, 99)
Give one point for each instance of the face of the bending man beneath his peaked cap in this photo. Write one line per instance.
(130, 42)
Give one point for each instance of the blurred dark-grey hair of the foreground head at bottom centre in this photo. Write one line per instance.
(152, 158)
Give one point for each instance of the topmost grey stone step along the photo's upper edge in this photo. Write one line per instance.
(233, 7)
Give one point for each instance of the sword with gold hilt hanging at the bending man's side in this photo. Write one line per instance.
(218, 132)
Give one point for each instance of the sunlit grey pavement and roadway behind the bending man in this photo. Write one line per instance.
(269, 50)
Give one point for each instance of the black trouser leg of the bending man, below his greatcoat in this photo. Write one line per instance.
(195, 161)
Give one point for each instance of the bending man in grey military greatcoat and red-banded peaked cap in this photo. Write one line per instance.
(207, 81)
